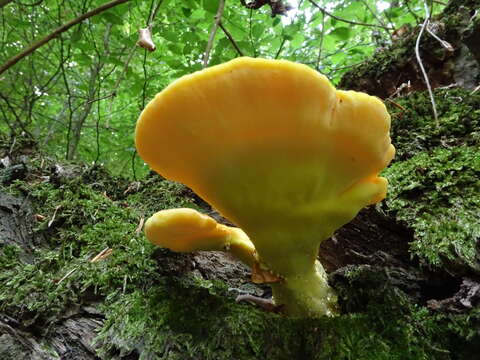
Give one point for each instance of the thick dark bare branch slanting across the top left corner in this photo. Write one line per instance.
(12, 61)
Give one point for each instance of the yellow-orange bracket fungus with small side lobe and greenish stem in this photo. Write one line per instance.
(277, 150)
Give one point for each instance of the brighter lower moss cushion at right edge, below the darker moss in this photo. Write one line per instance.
(437, 194)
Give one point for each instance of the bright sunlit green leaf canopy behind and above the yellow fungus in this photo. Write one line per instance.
(79, 95)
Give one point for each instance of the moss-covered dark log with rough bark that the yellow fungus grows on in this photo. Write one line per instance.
(79, 281)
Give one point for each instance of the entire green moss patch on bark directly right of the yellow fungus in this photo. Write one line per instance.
(434, 186)
